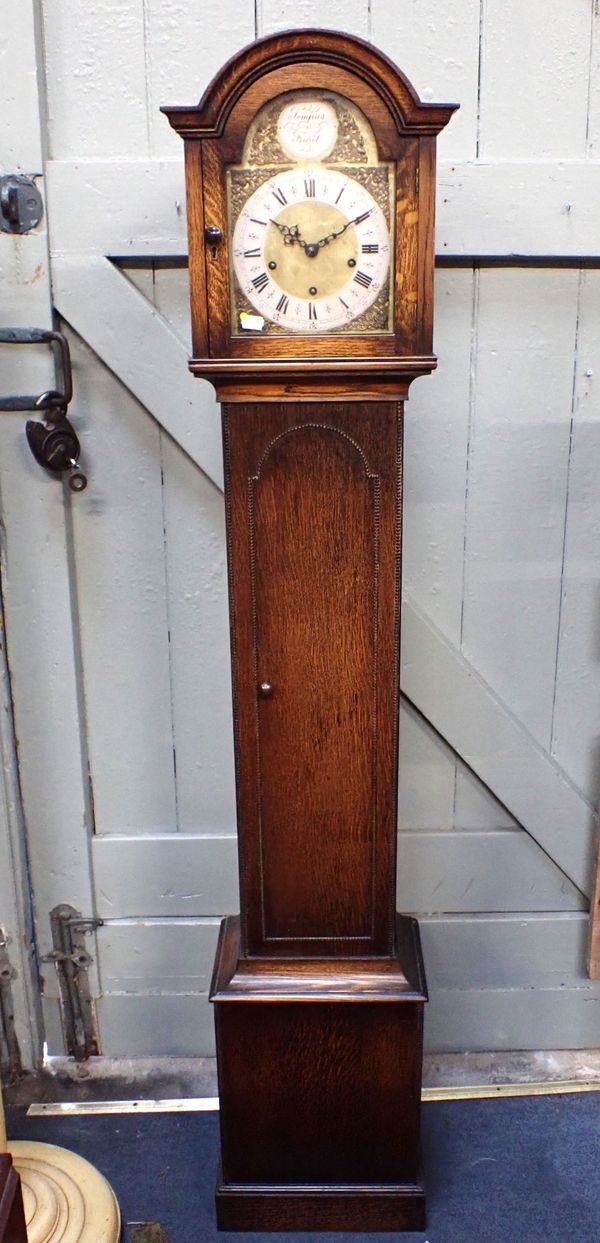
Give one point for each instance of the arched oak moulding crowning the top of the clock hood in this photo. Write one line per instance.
(412, 116)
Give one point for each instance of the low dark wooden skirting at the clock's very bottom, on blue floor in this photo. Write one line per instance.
(321, 1209)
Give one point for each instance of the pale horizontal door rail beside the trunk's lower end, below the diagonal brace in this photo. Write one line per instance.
(184, 874)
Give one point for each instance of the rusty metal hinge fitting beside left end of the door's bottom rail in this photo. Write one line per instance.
(73, 963)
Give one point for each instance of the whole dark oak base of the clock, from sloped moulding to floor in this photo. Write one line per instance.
(320, 1083)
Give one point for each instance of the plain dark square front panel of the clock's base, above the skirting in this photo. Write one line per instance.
(320, 1093)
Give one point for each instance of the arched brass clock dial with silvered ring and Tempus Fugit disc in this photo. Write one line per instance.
(311, 222)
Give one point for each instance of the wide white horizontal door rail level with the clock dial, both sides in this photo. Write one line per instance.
(130, 207)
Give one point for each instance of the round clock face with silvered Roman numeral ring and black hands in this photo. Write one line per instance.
(311, 249)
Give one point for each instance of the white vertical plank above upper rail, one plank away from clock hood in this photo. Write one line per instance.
(96, 79)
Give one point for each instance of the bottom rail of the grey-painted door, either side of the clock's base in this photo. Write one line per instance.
(498, 981)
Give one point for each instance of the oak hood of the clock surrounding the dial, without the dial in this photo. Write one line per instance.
(351, 365)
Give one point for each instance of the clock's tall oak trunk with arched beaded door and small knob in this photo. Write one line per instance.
(314, 535)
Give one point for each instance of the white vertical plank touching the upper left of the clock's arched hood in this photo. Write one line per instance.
(184, 47)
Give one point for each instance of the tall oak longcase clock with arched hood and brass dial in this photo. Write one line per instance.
(311, 193)
